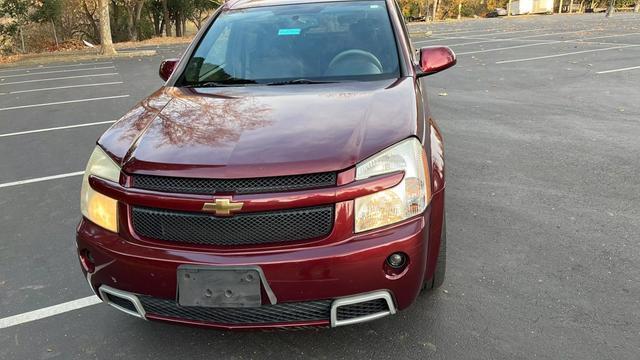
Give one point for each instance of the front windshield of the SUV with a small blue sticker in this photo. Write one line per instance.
(296, 44)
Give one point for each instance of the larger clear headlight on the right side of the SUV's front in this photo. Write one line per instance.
(409, 198)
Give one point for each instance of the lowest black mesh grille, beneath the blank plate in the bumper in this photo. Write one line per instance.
(265, 314)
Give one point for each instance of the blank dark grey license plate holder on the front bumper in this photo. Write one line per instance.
(218, 287)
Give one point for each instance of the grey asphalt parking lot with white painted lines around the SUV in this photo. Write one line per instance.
(541, 119)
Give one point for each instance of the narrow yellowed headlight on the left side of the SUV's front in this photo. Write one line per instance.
(100, 209)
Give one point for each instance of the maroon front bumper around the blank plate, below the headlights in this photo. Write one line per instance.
(322, 276)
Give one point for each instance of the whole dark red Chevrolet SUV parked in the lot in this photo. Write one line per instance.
(288, 174)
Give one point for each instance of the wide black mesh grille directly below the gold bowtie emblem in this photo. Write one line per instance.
(242, 229)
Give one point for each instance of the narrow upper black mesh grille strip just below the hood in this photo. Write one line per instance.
(237, 186)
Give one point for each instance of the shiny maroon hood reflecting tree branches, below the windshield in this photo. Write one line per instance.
(263, 130)
